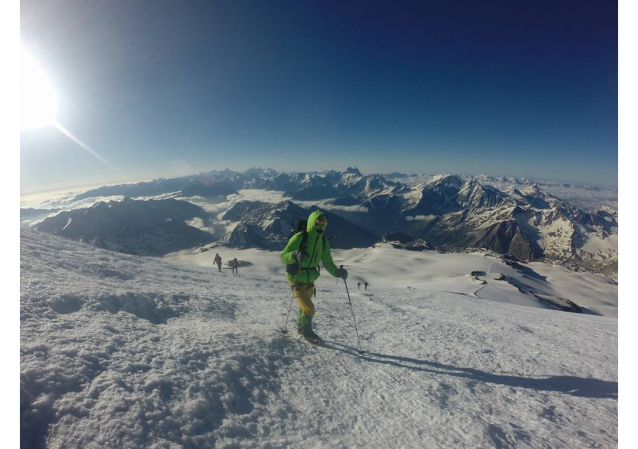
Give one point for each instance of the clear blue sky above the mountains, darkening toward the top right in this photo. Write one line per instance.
(162, 88)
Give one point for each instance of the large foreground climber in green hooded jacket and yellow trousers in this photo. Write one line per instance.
(302, 256)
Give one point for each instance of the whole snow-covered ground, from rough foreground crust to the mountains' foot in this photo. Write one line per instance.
(127, 352)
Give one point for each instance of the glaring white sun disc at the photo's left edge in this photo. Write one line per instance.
(39, 106)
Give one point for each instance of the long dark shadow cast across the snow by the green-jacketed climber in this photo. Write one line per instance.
(576, 386)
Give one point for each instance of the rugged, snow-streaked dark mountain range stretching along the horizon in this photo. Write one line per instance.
(448, 212)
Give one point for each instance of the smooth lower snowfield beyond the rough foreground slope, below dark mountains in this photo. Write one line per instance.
(388, 267)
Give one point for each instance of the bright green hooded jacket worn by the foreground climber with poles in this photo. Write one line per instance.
(317, 249)
